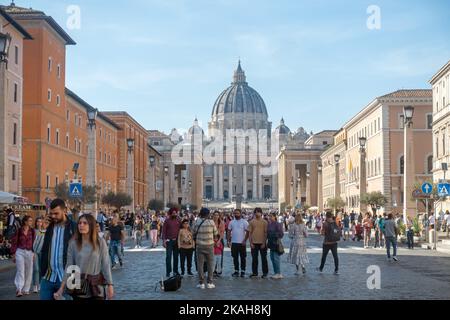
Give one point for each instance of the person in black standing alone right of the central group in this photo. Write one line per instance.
(332, 235)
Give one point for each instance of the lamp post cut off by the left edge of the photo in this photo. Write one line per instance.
(5, 42)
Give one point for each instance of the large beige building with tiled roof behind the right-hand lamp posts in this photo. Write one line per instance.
(382, 124)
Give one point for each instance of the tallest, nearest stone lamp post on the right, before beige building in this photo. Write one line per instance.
(409, 166)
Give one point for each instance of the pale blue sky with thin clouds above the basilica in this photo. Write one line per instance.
(314, 62)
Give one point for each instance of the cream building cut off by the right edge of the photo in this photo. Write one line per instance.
(441, 124)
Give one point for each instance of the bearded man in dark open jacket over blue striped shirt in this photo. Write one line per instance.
(54, 249)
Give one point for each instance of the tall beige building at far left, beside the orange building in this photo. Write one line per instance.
(11, 104)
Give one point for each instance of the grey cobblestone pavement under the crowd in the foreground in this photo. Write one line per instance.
(420, 274)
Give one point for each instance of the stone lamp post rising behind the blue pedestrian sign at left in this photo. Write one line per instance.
(91, 177)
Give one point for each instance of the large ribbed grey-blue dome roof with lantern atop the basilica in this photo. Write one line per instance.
(239, 97)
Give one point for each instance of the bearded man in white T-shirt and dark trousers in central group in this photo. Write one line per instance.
(237, 240)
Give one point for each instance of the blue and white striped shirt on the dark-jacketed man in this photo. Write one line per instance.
(55, 270)
